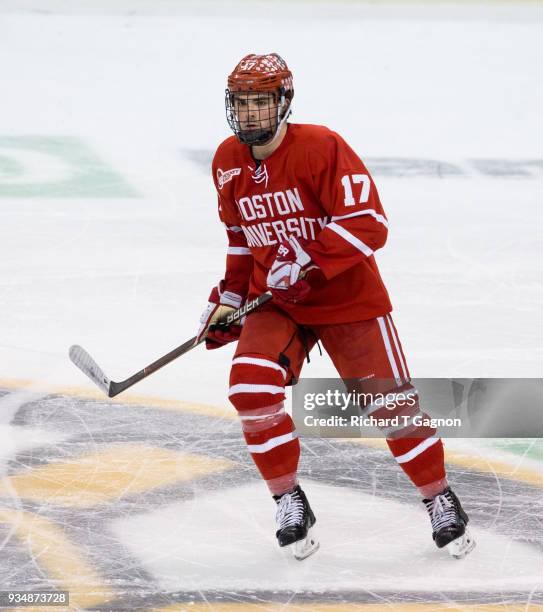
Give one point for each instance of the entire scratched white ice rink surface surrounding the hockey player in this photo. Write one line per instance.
(110, 239)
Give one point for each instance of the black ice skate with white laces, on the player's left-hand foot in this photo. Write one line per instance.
(295, 523)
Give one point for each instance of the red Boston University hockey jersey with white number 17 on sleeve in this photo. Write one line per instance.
(313, 186)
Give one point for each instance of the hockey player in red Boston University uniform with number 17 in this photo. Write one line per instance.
(303, 219)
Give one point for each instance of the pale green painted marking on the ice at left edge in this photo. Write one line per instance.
(56, 167)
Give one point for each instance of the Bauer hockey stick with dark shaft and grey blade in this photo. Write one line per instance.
(88, 366)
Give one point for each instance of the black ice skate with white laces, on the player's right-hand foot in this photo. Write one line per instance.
(449, 523)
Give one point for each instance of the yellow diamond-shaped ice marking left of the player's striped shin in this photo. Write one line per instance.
(106, 476)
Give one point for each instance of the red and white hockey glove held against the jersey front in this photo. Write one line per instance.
(293, 274)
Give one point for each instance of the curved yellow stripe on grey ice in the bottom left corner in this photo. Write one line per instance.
(49, 547)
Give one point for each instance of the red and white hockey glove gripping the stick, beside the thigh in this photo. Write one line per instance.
(221, 303)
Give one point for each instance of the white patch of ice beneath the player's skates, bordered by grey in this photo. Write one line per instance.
(358, 534)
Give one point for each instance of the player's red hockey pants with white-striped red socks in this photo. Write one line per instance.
(271, 352)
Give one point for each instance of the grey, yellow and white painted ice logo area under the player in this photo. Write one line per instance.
(148, 506)
